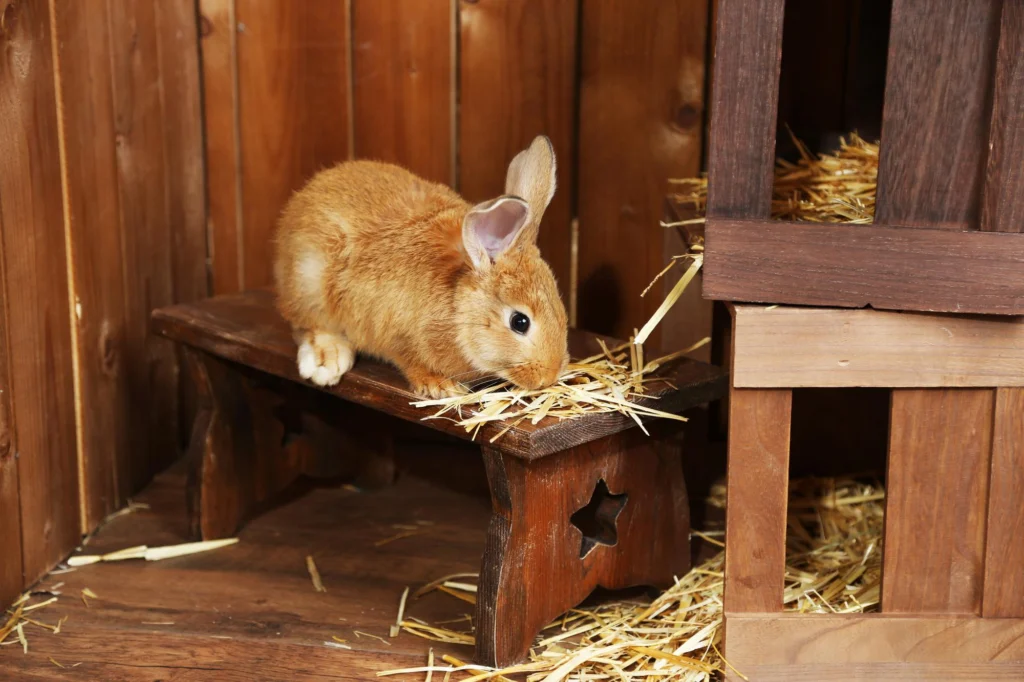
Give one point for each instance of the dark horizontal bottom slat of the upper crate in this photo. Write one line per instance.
(861, 266)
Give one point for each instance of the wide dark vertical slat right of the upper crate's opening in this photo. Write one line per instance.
(935, 118)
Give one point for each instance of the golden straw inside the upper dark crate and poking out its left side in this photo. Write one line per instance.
(832, 188)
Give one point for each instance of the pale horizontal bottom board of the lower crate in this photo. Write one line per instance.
(858, 648)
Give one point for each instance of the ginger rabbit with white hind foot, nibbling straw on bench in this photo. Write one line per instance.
(372, 260)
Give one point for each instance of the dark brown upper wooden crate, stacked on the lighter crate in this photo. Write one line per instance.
(952, 165)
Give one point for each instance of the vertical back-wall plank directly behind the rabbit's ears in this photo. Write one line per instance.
(518, 80)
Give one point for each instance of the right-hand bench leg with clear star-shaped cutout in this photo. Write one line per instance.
(613, 514)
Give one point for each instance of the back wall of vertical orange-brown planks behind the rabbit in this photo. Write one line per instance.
(454, 90)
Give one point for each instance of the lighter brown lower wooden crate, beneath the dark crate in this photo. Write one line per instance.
(953, 585)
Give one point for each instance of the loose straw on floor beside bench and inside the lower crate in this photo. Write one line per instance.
(834, 564)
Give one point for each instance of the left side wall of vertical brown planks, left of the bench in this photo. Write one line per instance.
(102, 219)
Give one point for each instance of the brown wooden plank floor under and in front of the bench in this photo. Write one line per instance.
(249, 612)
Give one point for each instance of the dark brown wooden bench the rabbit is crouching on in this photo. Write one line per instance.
(538, 562)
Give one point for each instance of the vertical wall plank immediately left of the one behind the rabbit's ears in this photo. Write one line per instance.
(403, 84)
